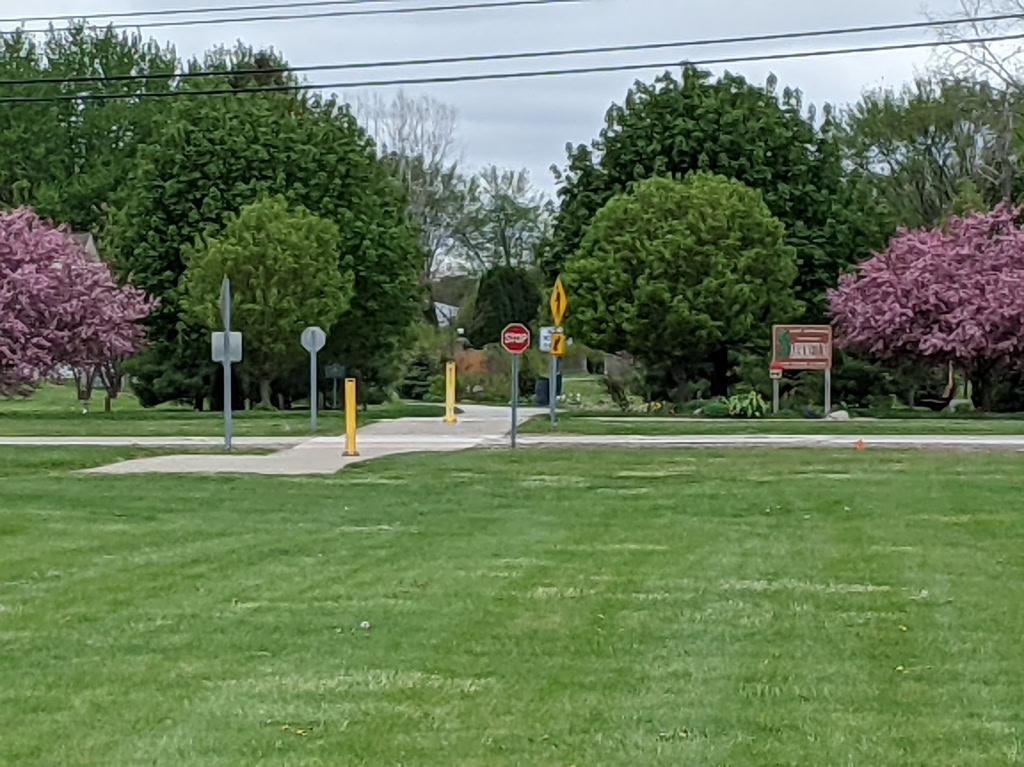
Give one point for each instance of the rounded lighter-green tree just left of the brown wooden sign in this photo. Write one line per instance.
(681, 273)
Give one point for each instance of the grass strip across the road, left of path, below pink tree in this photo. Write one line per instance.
(55, 411)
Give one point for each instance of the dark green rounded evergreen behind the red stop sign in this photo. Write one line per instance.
(506, 294)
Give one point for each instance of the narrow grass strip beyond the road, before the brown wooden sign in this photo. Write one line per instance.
(573, 424)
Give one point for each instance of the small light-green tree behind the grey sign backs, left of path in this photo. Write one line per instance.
(285, 277)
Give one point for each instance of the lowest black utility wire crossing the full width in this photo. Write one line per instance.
(505, 75)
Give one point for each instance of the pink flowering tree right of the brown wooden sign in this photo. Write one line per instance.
(953, 295)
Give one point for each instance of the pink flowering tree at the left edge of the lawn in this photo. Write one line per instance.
(61, 307)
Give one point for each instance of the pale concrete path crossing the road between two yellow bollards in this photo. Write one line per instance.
(478, 427)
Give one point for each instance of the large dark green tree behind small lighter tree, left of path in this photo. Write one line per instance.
(217, 155)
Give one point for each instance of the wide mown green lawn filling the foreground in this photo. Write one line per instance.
(534, 609)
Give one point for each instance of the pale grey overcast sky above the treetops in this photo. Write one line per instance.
(527, 123)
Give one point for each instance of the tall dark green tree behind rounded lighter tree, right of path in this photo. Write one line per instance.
(728, 126)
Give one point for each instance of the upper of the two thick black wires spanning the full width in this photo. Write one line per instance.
(782, 36)
